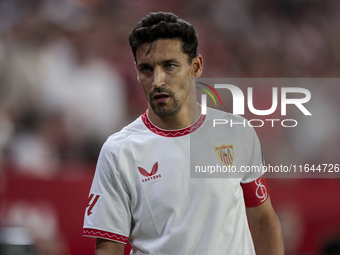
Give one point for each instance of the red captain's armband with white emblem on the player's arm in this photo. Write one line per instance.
(256, 192)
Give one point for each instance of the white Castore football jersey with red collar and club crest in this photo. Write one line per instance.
(144, 192)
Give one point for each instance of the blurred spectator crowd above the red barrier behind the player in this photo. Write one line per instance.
(67, 79)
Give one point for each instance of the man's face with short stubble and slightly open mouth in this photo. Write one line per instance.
(164, 72)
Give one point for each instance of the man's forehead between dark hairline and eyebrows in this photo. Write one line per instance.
(159, 50)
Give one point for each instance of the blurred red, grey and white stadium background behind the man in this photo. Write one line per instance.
(67, 81)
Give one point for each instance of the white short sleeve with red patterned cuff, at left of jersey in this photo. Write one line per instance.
(107, 213)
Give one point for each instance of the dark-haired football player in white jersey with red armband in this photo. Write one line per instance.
(142, 191)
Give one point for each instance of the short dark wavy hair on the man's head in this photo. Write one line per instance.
(163, 25)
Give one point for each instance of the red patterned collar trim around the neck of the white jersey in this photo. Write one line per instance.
(172, 133)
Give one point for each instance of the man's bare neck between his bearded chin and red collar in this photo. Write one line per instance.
(183, 119)
